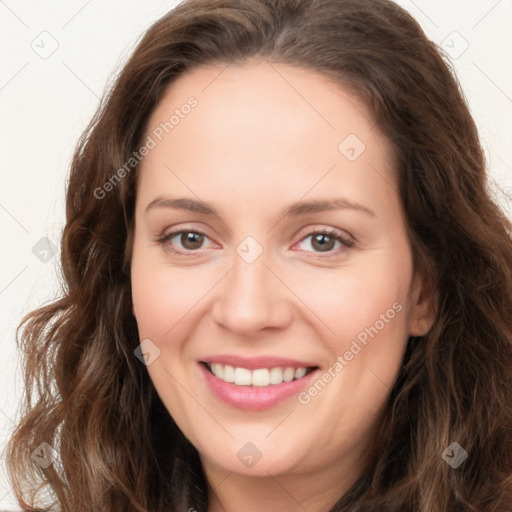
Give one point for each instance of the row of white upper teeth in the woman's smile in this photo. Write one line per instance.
(261, 377)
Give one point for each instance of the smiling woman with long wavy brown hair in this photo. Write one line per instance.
(287, 287)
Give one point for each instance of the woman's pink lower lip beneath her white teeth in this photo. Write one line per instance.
(254, 398)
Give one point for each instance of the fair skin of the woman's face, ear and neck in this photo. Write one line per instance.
(261, 138)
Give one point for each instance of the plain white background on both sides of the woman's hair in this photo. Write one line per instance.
(45, 104)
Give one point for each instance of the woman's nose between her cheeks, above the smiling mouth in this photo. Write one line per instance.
(251, 298)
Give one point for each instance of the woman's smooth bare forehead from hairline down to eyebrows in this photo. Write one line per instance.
(261, 125)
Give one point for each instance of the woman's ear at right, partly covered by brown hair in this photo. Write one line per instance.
(423, 309)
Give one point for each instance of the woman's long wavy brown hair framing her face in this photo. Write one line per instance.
(91, 399)
